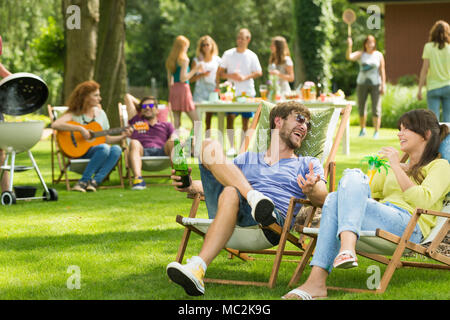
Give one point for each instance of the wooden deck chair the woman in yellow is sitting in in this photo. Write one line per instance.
(379, 245)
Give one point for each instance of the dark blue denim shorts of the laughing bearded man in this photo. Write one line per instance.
(212, 190)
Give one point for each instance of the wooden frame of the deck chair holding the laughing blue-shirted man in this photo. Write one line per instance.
(284, 232)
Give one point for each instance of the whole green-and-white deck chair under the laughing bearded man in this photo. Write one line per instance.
(251, 240)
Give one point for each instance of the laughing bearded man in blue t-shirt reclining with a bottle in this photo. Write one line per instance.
(253, 189)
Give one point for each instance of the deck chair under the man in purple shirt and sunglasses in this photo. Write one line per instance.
(149, 163)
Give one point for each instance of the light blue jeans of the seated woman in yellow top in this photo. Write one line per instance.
(351, 208)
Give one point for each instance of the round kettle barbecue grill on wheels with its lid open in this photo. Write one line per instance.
(20, 94)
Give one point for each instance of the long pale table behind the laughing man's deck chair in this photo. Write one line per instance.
(222, 107)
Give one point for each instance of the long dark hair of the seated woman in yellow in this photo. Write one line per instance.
(422, 121)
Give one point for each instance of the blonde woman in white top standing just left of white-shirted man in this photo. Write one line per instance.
(205, 82)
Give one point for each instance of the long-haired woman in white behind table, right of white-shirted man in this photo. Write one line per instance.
(280, 64)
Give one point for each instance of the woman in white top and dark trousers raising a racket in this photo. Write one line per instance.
(371, 79)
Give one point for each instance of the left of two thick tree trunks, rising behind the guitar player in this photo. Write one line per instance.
(81, 44)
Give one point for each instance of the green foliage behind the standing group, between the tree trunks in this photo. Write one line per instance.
(152, 26)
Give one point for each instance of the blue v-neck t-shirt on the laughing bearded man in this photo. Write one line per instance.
(279, 181)
